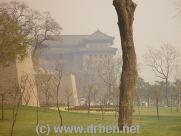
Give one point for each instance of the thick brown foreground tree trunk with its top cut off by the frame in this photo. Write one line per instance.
(125, 11)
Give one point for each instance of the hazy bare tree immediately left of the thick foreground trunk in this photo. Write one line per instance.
(109, 71)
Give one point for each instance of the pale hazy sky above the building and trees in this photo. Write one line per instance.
(154, 22)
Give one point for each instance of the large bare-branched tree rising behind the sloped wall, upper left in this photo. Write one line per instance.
(36, 26)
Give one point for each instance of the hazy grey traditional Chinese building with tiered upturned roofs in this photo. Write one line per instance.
(78, 52)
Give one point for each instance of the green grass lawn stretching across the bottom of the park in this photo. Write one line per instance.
(168, 125)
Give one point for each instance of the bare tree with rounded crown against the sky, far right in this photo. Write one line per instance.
(162, 61)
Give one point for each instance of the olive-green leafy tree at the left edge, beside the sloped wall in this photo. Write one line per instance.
(13, 44)
